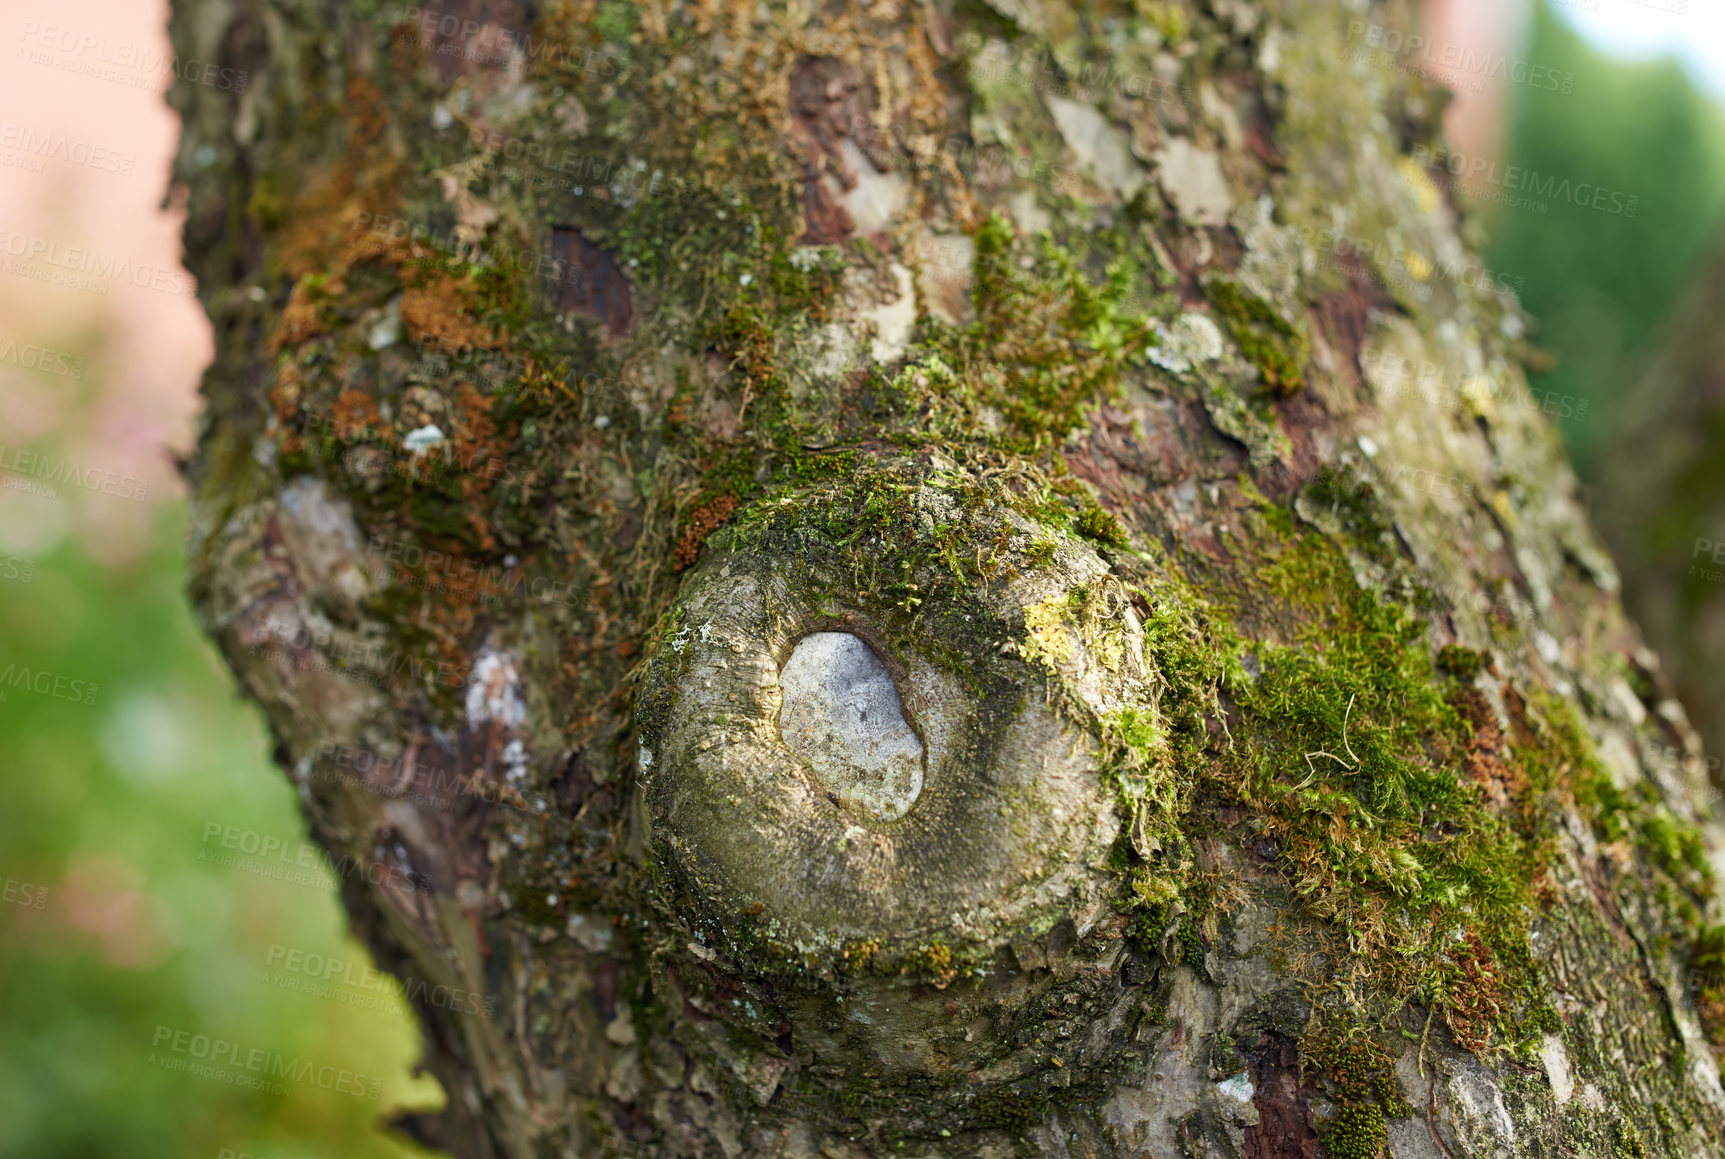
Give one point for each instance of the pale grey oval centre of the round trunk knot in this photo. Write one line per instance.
(843, 717)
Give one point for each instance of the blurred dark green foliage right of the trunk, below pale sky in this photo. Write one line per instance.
(1600, 284)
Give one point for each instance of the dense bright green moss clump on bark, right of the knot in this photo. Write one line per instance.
(1355, 765)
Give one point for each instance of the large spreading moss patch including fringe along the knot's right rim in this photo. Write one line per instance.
(1350, 761)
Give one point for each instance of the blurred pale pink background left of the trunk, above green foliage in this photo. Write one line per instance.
(144, 349)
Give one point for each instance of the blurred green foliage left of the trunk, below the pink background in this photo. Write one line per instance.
(108, 806)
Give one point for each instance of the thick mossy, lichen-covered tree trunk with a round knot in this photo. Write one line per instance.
(615, 404)
